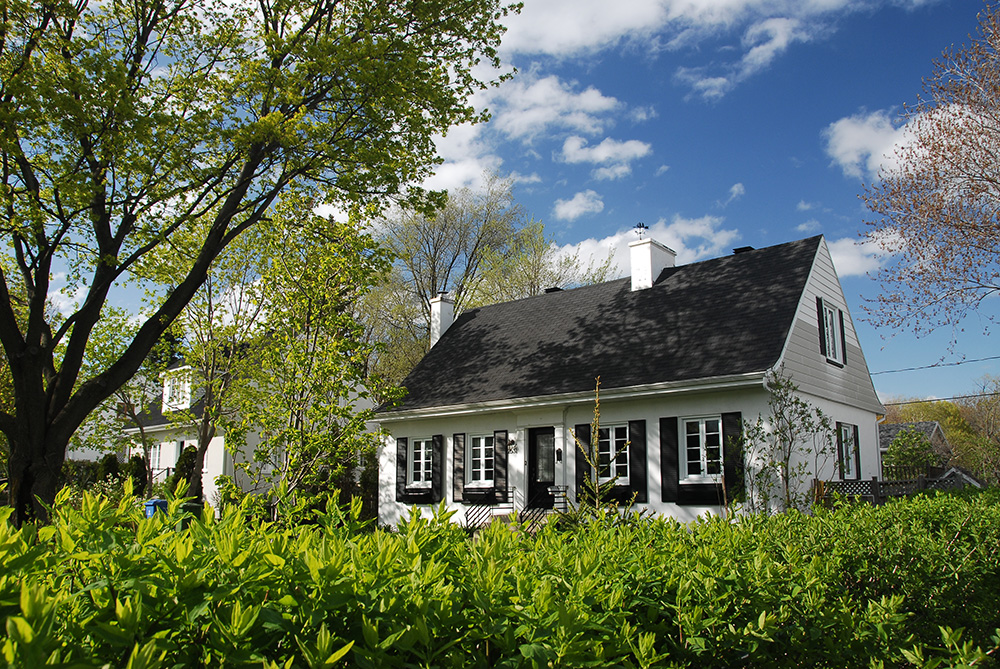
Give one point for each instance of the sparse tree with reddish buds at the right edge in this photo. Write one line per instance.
(938, 204)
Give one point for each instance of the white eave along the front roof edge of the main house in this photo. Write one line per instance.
(708, 384)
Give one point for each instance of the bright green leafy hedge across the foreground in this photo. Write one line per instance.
(852, 586)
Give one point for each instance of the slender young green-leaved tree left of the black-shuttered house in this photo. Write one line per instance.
(306, 397)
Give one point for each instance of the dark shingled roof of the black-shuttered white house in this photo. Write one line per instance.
(719, 317)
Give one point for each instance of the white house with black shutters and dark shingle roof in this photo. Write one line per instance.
(682, 353)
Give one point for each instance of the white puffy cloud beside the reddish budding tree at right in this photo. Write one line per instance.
(863, 144)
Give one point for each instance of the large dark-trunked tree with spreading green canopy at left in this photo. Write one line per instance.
(127, 123)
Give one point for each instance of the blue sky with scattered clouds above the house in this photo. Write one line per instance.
(720, 123)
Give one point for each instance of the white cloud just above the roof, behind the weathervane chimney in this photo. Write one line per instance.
(692, 238)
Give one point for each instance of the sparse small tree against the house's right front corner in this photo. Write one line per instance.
(784, 450)
